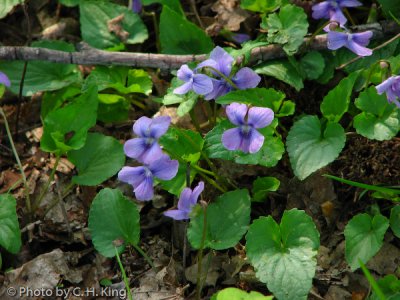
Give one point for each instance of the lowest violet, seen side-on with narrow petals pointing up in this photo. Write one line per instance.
(187, 200)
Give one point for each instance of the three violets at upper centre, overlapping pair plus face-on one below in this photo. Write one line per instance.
(219, 81)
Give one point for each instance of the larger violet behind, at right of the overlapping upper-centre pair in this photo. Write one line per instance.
(221, 61)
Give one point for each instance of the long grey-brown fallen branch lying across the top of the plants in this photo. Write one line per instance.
(91, 56)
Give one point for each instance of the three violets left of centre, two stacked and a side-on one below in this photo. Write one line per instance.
(156, 164)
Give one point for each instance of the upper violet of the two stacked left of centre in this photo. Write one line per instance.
(145, 148)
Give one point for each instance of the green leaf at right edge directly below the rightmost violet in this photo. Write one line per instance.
(379, 120)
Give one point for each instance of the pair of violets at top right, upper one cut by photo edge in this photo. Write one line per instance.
(332, 10)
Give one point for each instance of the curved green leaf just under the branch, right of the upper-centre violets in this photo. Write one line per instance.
(283, 70)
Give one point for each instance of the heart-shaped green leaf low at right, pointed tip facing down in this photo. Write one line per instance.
(364, 237)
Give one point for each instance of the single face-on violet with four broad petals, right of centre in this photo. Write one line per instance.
(245, 137)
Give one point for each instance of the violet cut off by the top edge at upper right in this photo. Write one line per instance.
(332, 10)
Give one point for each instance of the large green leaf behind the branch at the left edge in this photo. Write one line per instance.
(42, 76)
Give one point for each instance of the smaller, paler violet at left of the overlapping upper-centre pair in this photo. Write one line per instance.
(201, 84)
